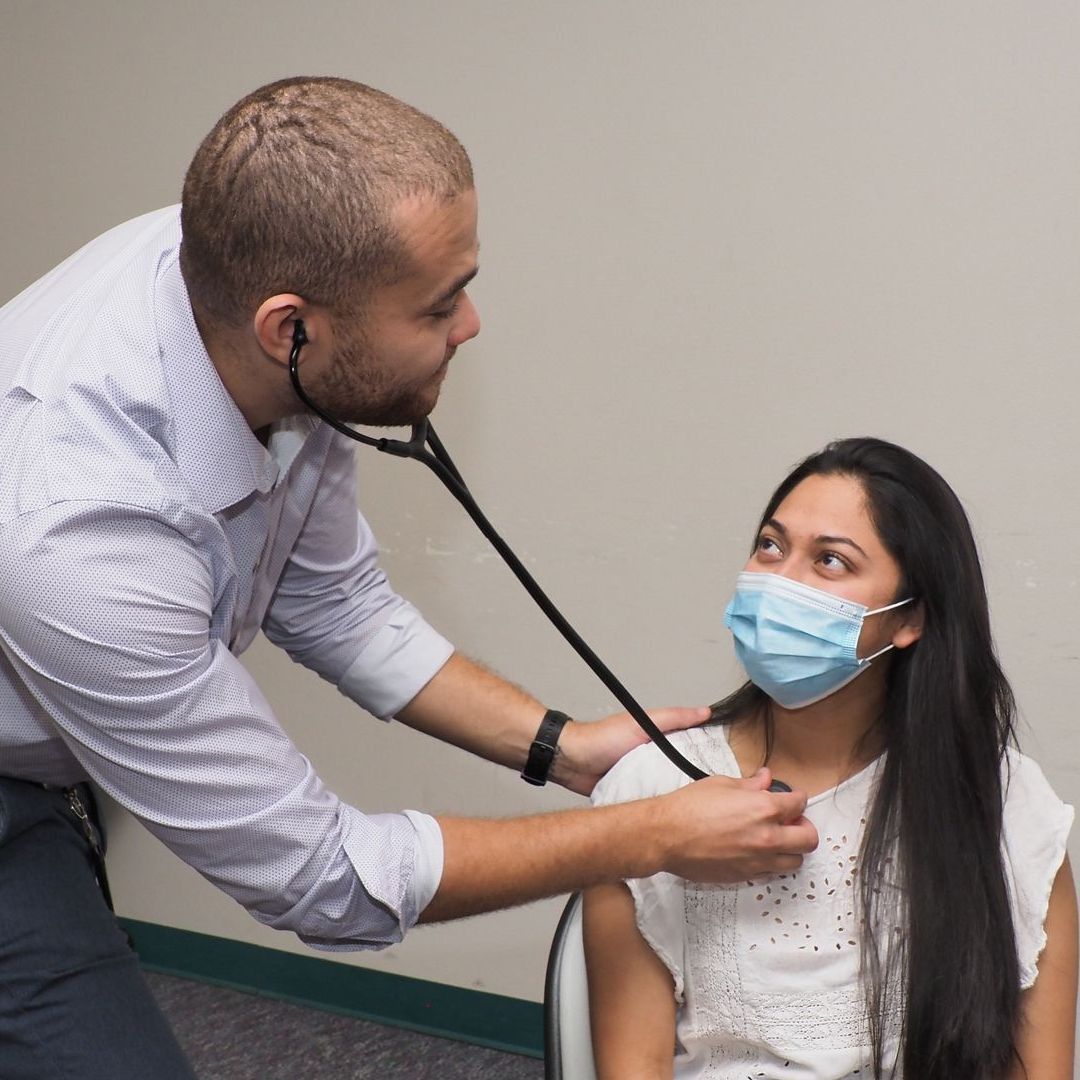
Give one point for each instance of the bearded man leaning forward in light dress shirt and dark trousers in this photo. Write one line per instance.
(167, 496)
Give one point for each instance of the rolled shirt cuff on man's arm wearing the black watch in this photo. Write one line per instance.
(397, 664)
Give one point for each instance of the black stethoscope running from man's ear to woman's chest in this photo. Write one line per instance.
(425, 447)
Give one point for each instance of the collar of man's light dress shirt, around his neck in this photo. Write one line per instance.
(214, 448)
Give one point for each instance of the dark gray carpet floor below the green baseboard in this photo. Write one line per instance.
(234, 1036)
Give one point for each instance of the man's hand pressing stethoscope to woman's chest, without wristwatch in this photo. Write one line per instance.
(725, 830)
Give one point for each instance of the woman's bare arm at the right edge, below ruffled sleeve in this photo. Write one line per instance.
(1049, 1009)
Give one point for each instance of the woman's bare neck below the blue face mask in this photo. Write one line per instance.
(821, 746)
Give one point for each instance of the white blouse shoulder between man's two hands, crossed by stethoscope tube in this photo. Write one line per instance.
(646, 771)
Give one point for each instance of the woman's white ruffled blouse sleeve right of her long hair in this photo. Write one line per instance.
(1035, 831)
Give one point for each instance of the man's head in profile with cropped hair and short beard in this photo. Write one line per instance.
(325, 200)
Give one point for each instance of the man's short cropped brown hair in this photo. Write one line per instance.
(293, 190)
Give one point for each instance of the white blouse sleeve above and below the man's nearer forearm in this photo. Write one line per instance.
(658, 900)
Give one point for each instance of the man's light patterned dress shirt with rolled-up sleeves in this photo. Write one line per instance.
(146, 536)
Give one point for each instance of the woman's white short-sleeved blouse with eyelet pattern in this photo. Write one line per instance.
(767, 973)
